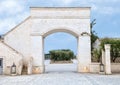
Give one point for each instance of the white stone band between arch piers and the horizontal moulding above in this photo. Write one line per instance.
(47, 26)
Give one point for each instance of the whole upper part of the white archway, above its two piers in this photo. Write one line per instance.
(50, 20)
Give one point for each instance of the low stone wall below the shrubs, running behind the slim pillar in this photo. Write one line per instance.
(94, 67)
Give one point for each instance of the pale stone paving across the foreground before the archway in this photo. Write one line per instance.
(61, 78)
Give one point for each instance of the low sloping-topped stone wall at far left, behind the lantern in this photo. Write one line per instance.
(9, 56)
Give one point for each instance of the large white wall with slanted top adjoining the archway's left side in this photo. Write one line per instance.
(19, 38)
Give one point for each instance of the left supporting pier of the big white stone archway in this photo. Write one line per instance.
(37, 54)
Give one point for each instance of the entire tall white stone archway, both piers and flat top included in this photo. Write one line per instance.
(50, 20)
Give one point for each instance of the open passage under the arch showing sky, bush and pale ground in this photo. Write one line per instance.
(60, 41)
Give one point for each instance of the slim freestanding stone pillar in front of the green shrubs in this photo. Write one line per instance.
(107, 59)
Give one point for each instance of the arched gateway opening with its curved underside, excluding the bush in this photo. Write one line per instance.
(57, 40)
